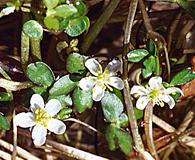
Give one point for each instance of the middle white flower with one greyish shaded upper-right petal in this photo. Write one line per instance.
(101, 80)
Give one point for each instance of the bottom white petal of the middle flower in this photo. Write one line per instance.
(98, 93)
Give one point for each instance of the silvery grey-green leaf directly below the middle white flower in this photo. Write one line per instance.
(112, 107)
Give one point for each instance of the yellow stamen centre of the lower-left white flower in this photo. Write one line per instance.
(42, 117)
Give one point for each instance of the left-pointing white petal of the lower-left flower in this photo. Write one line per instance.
(24, 120)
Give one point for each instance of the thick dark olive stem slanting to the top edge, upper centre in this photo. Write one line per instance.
(97, 27)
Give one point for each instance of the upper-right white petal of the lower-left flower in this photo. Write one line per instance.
(52, 107)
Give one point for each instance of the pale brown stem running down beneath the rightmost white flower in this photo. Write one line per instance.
(148, 129)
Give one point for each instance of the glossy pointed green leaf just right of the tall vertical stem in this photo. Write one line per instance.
(137, 55)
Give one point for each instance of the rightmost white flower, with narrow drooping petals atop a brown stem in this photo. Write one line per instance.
(155, 92)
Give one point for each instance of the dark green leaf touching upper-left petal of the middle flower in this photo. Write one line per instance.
(75, 63)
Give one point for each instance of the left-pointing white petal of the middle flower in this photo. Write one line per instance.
(87, 83)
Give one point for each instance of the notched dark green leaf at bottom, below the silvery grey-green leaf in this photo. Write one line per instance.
(118, 137)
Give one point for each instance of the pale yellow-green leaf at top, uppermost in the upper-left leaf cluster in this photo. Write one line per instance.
(65, 11)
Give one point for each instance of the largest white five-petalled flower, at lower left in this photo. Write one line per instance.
(41, 119)
